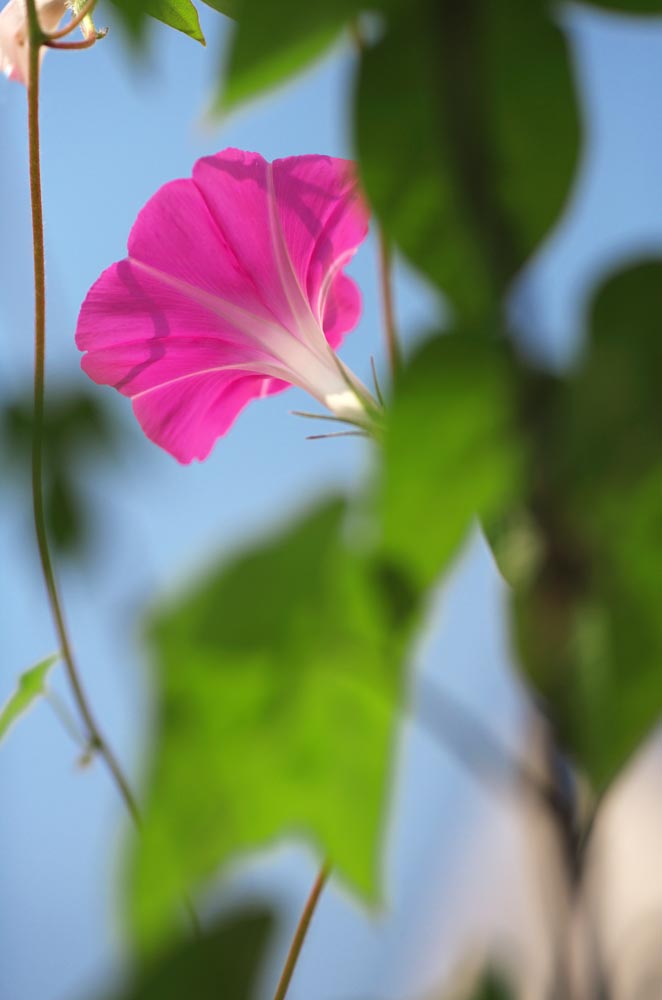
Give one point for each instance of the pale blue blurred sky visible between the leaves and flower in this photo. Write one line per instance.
(112, 134)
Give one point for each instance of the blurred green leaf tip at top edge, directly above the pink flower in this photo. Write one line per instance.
(275, 40)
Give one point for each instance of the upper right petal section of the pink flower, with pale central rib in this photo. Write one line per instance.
(306, 221)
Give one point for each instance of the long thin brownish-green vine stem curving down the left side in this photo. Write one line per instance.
(97, 741)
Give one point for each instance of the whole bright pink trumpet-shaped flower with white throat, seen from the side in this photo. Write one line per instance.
(233, 289)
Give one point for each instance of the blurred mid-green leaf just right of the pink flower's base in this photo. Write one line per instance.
(452, 451)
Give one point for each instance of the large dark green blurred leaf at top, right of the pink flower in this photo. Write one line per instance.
(467, 132)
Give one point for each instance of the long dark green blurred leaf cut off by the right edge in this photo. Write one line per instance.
(590, 625)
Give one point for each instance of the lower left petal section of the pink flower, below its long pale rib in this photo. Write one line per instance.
(168, 352)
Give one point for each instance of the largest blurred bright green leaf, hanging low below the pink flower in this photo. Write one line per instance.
(280, 678)
